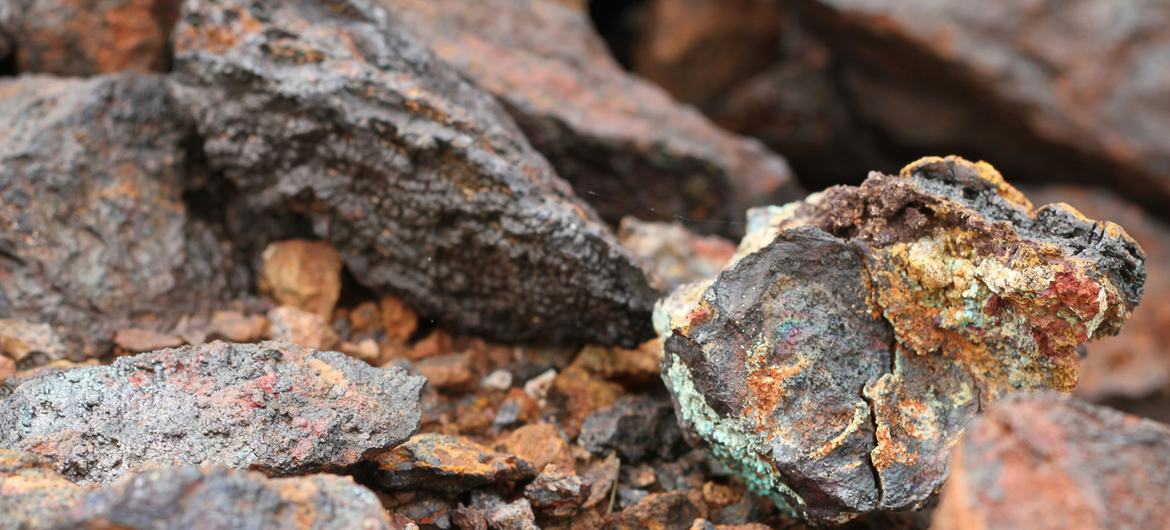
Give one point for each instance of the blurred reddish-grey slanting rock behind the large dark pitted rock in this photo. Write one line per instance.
(624, 144)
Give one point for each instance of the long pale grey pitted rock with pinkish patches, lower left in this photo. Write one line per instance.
(273, 408)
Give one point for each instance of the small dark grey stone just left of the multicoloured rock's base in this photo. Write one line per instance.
(636, 426)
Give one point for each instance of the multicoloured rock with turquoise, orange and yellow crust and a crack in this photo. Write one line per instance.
(835, 363)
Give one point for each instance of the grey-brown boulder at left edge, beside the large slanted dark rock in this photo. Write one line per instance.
(94, 235)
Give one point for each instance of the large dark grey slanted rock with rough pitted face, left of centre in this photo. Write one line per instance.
(422, 182)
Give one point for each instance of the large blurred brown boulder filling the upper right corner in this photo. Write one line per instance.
(1080, 98)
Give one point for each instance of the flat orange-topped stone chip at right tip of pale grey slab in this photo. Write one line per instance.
(442, 463)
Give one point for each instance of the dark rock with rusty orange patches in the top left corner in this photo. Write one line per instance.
(74, 38)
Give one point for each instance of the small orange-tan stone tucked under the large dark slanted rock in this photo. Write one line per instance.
(304, 274)
